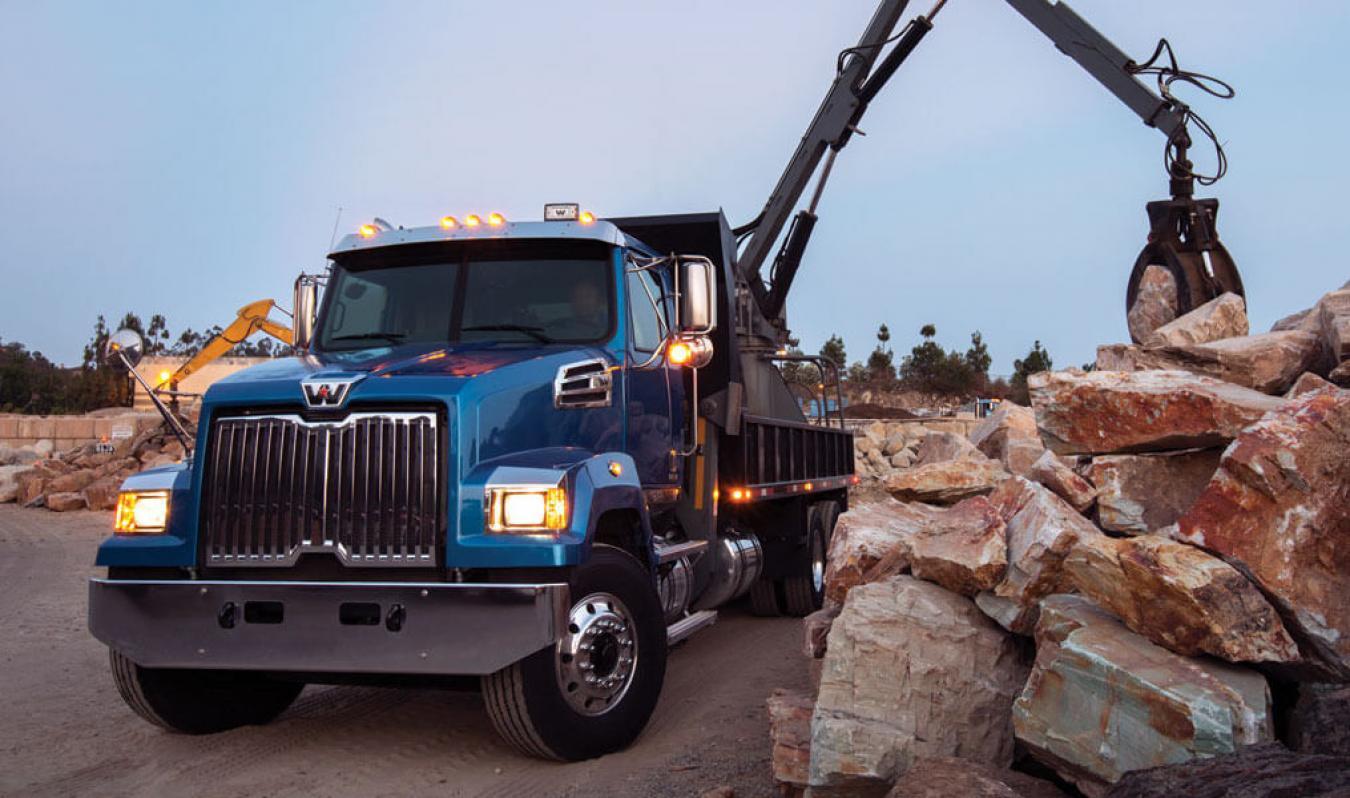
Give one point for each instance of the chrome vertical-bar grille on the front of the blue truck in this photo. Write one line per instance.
(367, 488)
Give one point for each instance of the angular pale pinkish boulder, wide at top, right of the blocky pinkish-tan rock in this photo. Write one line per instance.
(1042, 530)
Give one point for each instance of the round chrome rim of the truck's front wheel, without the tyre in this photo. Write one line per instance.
(597, 657)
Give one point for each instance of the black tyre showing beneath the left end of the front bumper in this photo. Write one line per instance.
(200, 701)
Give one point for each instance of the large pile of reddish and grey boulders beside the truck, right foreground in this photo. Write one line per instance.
(1125, 585)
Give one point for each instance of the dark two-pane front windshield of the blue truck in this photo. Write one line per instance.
(530, 292)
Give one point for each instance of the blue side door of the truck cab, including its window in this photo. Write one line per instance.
(654, 431)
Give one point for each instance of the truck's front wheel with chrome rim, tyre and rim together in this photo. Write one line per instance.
(595, 691)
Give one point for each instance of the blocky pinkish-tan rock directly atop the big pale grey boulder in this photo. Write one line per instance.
(963, 549)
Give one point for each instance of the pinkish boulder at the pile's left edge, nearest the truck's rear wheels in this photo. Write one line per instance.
(871, 542)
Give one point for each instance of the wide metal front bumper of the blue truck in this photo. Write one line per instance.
(327, 627)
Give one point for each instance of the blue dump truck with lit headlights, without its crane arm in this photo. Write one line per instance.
(524, 452)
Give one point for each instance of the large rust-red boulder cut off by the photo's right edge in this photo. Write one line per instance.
(1279, 510)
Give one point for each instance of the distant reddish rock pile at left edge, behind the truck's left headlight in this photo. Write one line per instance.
(83, 477)
